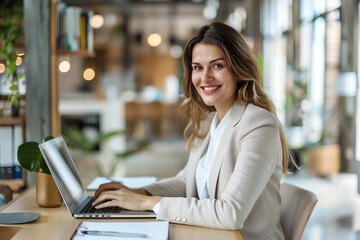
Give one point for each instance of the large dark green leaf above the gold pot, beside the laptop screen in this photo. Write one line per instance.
(30, 158)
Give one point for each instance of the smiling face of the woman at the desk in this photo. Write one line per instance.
(212, 77)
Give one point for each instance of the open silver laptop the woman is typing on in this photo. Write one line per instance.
(72, 190)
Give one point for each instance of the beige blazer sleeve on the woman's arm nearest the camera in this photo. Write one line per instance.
(257, 153)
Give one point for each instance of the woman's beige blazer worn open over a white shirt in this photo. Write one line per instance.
(244, 183)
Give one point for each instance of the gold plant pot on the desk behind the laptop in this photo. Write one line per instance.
(47, 193)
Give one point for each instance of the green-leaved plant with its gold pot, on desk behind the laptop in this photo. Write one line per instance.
(31, 159)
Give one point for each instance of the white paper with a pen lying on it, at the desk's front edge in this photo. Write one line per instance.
(158, 230)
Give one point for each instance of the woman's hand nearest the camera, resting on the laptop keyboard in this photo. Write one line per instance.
(126, 199)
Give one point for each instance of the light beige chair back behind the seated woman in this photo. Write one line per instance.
(297, 205)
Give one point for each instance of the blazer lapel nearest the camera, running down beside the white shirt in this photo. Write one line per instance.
(236, 113)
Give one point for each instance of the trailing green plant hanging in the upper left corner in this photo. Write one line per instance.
(11, 12)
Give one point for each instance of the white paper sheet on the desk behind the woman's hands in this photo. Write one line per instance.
(131, 182)
